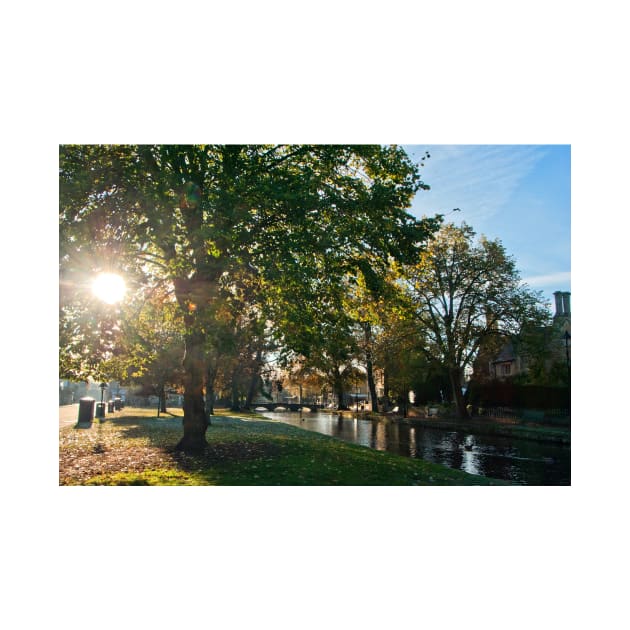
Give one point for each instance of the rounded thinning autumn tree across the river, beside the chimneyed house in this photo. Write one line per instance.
(465, 292)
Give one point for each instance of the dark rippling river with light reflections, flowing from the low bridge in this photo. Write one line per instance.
(519, 461)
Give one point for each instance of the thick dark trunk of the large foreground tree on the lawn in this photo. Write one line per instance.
(195, 420)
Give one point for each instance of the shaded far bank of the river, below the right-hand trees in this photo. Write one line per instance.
(506, 427)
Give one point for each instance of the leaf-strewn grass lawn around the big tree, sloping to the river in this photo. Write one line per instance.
(133, 447)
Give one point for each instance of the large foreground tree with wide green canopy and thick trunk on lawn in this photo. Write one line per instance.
(196, 216)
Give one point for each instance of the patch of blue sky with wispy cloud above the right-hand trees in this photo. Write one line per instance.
(520, 194)
